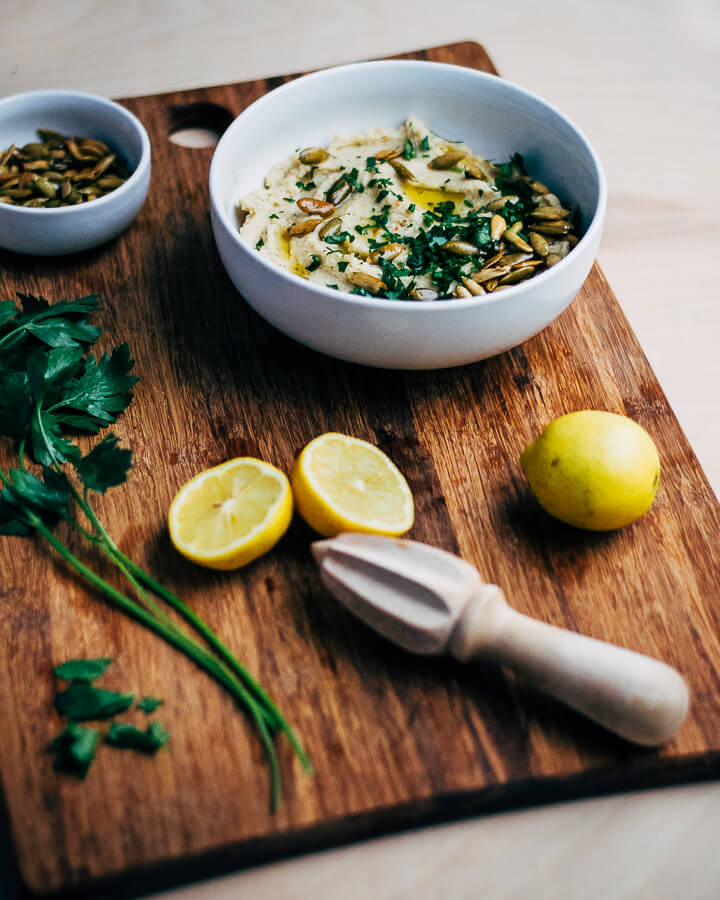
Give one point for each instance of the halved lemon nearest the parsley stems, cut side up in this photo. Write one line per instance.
(229, 515)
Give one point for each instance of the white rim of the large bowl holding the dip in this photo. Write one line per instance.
(402, 304)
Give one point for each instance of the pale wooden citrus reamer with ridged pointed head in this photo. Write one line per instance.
(432, 602)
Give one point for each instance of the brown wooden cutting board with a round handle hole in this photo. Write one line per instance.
(396, 740)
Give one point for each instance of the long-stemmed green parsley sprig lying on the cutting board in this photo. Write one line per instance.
(52, 387)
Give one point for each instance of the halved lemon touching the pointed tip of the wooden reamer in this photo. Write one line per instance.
(342, 483)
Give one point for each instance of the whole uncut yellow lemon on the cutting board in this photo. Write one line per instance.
(594, 470)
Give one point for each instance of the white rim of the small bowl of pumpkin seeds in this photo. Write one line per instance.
(119, 110)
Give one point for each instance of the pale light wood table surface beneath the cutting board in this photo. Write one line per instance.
(642, 79)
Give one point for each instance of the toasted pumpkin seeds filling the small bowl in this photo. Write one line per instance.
(59, 171)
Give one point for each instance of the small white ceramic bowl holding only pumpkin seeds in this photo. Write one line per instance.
(68, 229)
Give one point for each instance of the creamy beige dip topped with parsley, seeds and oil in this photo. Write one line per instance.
(403, 213)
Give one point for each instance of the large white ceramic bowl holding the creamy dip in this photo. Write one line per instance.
(495, 118)
